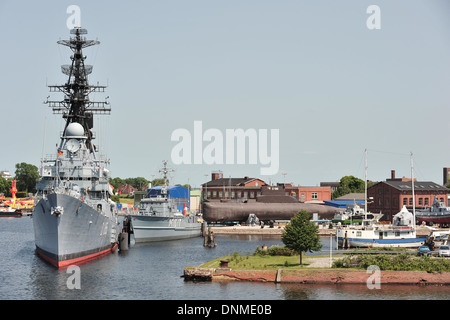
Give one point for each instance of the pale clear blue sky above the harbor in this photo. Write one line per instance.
(311, 69)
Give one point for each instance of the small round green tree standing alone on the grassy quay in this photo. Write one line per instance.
(301, 235)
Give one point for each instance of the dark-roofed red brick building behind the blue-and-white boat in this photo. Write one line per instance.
(388, 197)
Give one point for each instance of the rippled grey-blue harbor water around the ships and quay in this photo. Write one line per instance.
(153, 271)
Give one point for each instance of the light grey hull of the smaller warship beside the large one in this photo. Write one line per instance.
(154, 228)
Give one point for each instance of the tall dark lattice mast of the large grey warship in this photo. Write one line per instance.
(76, 106)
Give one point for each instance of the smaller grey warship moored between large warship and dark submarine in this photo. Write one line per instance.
(159, 218)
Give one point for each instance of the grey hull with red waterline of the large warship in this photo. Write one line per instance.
(77, 234)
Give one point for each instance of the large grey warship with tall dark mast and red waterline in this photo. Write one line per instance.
(74, 219)
